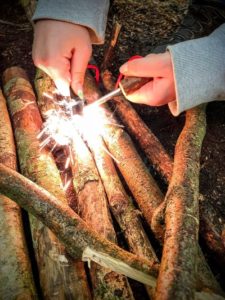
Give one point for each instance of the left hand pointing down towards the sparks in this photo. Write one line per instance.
(62, 50)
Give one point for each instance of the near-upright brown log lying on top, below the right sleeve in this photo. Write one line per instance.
(177, 277)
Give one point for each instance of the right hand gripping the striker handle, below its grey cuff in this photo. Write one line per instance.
(159, 91)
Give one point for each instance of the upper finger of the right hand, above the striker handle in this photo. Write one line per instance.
(149, 66)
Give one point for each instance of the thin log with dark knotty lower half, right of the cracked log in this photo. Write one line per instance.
(127, 216)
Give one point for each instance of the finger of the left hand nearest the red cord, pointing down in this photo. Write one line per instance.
(79, 64)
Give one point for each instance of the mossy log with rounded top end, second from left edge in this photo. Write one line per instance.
(59, 274)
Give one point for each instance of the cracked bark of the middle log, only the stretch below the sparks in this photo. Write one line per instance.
(93, 209)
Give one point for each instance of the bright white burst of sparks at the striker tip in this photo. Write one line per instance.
(62, 124)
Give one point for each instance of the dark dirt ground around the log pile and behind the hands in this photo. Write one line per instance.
(144, 26)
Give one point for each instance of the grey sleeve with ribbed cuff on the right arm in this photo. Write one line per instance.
(199, 71)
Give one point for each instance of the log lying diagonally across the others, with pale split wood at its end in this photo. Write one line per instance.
(79, 238)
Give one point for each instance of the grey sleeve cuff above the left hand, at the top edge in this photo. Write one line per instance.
(89, 13)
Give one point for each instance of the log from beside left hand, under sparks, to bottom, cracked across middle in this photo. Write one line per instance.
(91, 202)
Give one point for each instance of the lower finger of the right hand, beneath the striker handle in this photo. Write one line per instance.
(155, 93)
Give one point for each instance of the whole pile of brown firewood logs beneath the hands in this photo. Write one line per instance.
(76, 208)
